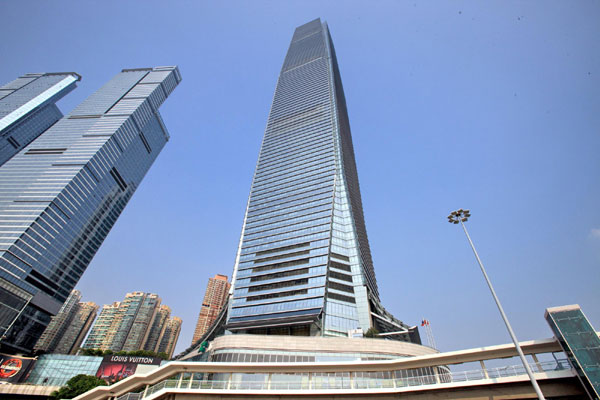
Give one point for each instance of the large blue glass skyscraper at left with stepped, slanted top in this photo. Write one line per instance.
(61, 194)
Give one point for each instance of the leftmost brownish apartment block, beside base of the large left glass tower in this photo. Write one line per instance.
(67, 329)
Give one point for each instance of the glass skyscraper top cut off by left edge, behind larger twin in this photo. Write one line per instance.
(28, 108)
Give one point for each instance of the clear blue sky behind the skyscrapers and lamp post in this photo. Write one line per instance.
(492, 106)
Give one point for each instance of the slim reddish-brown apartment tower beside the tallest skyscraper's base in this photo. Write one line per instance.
(215, 298)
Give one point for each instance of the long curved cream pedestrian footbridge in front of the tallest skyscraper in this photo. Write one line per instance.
(436, 376)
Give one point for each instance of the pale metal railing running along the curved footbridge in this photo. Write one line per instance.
(345, 383)
